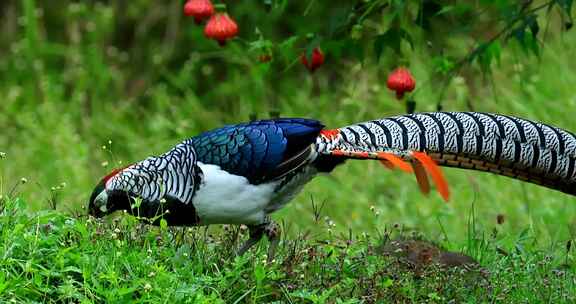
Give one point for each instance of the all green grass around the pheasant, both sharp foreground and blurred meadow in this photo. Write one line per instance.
(64, 94)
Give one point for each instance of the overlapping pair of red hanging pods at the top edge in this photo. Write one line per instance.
(219, 27)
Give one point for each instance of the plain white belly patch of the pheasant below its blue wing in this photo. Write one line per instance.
(224, 198)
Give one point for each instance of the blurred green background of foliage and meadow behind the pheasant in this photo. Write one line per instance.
(88, 85)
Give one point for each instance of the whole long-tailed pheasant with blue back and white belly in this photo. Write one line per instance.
(240, 174)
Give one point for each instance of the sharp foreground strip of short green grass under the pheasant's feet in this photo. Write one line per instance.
(48, 257)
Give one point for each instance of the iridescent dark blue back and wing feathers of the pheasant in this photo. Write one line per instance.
(255, 149)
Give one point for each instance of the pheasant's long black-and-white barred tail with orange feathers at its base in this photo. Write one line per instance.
(500, 144)
